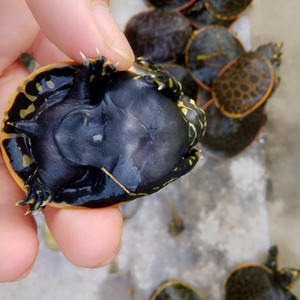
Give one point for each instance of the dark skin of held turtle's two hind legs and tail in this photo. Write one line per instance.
(42, 185)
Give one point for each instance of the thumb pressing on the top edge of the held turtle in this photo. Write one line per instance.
(82, 25)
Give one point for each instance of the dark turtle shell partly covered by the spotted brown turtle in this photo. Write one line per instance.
(225, 137)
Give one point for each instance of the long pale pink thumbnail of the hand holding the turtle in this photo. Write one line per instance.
(112, 35)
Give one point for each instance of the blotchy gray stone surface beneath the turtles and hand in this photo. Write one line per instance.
(232, 209)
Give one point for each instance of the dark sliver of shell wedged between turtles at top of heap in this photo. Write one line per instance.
(199, 16)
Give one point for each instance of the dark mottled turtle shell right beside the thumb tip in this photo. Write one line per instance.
(150, 35)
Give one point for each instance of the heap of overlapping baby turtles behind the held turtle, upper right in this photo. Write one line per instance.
(228, 82)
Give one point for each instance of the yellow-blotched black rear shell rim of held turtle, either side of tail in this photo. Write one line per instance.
(29, 98)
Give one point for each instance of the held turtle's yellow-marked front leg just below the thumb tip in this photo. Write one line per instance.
(166, 83)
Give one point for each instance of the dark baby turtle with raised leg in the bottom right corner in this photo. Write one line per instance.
(261, 281)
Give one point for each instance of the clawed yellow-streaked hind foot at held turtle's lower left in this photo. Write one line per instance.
(38, 196)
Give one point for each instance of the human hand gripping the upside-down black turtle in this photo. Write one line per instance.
(54, 31)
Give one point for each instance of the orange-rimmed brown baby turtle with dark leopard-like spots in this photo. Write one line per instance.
(246, 83)
